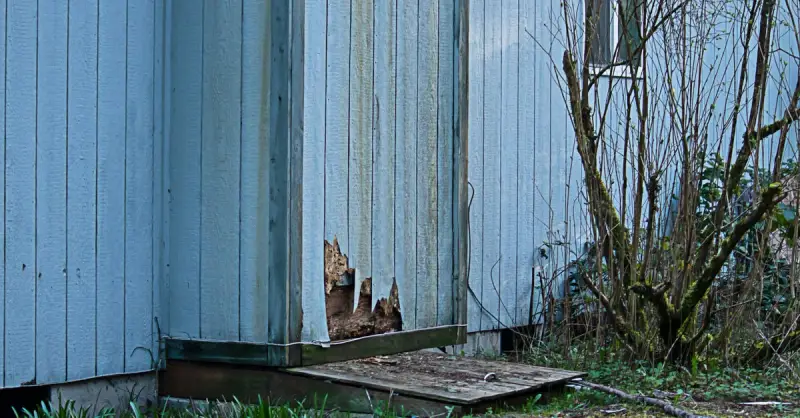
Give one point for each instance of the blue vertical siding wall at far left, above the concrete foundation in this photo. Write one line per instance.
(80, 189)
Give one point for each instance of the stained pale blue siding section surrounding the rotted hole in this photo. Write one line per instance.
(378, 152)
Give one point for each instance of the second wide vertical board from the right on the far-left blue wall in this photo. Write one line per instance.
(111, 134)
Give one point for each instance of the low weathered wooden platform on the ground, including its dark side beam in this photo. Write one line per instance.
(420, 383)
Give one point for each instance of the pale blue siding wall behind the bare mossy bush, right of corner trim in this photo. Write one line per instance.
(525, 174)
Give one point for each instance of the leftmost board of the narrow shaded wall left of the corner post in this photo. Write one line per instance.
(185, 168)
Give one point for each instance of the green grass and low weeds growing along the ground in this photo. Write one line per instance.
(707, 387)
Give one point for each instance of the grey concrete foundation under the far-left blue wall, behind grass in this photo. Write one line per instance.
(115, 392)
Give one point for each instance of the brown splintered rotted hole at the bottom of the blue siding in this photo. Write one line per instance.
(343, 322)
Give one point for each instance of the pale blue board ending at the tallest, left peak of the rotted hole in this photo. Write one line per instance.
(337, 116)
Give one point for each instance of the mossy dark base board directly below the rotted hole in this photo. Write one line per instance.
(383, 344)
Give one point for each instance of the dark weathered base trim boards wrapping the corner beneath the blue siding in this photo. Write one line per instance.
(246, 353)
